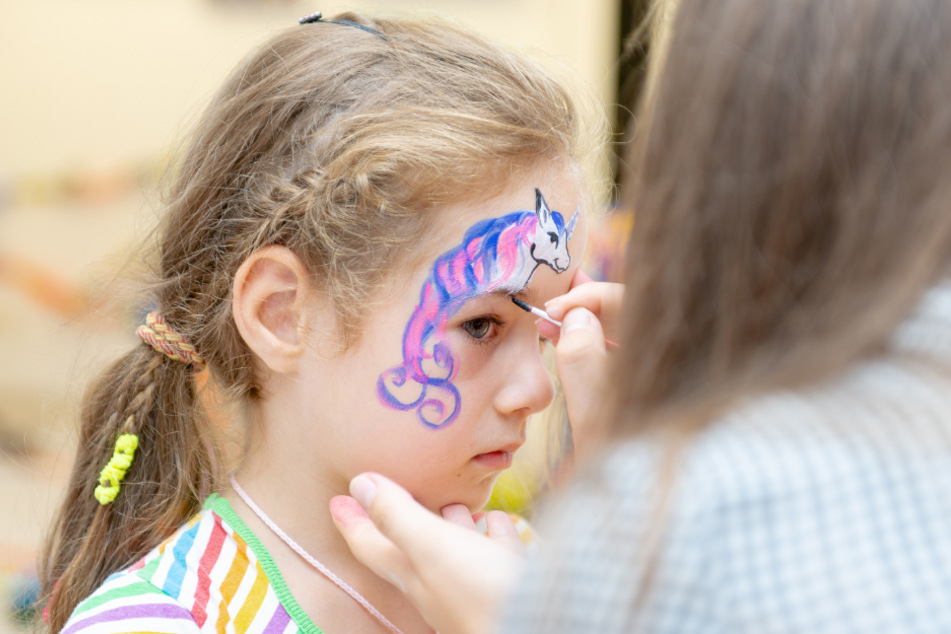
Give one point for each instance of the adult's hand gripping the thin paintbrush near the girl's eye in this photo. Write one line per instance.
(587, 311)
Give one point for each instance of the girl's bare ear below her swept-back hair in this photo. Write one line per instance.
(269, 300)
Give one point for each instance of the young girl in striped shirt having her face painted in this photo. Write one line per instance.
(357, 207)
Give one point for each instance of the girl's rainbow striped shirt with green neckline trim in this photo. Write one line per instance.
(212, 575)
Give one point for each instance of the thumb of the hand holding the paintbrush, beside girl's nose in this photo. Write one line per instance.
(581, 360)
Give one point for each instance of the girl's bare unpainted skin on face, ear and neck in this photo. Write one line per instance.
(319, 423)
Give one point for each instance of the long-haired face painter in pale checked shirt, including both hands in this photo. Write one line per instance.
(782, 393)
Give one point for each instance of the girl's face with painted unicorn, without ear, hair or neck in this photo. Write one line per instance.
(436, 392)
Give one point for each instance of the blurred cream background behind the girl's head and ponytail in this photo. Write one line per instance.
(93, 97)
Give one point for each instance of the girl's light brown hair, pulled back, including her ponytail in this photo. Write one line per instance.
(341, 145)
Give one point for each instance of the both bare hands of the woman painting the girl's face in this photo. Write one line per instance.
(455, 576)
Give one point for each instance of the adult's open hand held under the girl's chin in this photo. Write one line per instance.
(454, 575)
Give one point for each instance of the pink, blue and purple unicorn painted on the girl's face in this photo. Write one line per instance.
(496, 253)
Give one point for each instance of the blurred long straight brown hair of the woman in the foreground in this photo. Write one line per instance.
(791, 184)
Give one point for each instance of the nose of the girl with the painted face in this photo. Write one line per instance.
(527, 387)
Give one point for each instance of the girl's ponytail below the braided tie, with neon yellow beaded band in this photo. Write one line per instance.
(152, 398)
